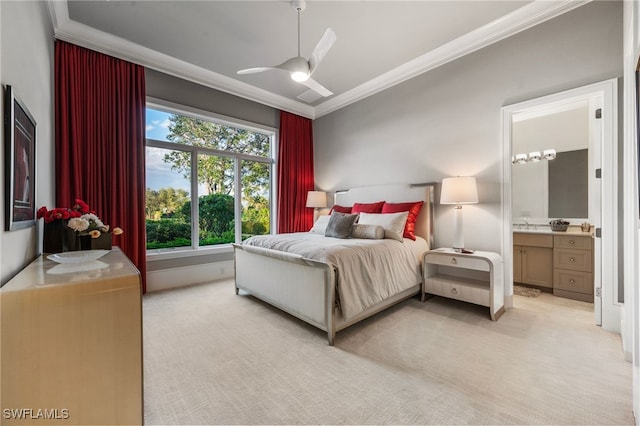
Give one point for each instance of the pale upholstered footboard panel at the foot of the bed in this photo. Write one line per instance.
(302, 287)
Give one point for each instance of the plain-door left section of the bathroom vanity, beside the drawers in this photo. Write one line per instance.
(533, 259)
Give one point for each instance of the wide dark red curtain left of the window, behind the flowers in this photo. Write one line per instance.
(100, 141)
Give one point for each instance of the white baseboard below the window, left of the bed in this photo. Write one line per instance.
(179, 277)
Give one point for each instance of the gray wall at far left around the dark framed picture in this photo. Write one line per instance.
(26, 63)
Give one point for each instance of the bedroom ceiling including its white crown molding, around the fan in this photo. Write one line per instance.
(379, 43)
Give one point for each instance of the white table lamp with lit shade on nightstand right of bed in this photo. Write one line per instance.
(458, 190)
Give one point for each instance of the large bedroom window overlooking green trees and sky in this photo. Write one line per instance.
(224, 168)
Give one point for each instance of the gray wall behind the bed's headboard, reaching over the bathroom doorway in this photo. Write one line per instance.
(446, 122)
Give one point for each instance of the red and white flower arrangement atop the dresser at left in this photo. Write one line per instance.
(79, 218)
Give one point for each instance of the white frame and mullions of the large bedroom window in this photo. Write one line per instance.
(184, 110)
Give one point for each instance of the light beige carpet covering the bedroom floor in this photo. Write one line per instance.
(211, 357)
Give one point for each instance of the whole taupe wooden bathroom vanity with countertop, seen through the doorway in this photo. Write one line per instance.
(558, 262)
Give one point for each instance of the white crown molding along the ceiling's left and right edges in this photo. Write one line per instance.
(519, 20)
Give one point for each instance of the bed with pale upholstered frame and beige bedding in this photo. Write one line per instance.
(312, 286)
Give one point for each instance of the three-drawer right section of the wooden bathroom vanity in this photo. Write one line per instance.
(573, 267)
